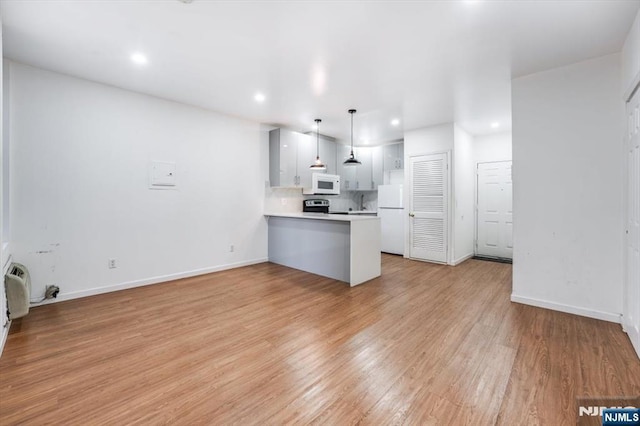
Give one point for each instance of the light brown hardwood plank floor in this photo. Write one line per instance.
(264, 344)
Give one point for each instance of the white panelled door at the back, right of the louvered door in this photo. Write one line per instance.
(495, 210)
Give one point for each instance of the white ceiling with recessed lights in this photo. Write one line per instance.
(425, 62)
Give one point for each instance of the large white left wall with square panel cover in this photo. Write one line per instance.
(80, 156)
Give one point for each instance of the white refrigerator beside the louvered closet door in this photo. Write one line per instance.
(391, 215)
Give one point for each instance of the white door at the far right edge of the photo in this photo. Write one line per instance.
(632, 285)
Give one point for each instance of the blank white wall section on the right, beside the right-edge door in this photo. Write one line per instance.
(568, 180)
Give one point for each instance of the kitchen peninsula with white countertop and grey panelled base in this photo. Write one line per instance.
(342, 247)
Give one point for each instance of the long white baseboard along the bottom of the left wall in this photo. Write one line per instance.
(147, 281)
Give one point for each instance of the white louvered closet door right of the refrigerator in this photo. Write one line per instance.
(429, 204)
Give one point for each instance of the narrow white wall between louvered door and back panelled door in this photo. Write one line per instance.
(464, 195)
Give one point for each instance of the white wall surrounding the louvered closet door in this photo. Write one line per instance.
(429, 140)
